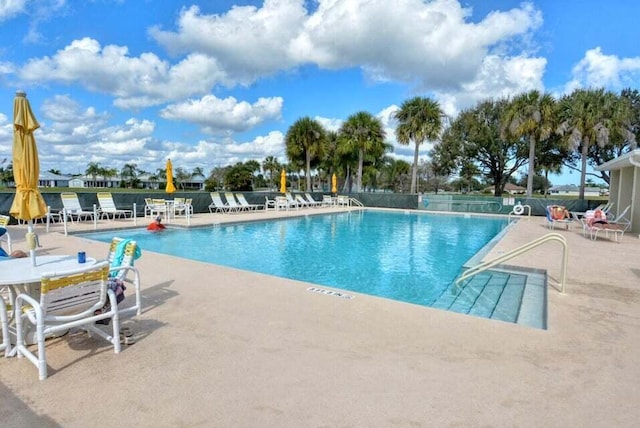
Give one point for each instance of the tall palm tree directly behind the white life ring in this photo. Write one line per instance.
(531, 115)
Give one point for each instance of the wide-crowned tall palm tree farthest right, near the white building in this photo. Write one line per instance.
(589, 116)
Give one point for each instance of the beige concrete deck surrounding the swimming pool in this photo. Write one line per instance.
(227, 348)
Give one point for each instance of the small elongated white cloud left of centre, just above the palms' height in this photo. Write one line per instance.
(216, 115)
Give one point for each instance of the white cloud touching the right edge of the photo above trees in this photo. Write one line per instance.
(599, 70)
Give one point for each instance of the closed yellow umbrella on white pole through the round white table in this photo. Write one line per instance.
(28, 203)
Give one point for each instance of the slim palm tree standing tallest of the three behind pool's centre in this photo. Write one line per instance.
(419, 119)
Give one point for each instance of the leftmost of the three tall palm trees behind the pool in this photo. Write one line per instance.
(304, 141)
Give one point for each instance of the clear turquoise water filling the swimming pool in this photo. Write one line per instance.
(411, 257)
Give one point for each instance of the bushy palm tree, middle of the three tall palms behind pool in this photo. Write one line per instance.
(362, 133)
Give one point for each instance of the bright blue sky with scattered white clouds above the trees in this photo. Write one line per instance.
(213, 83)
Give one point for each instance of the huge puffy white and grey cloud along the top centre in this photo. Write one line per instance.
(432, 44)
